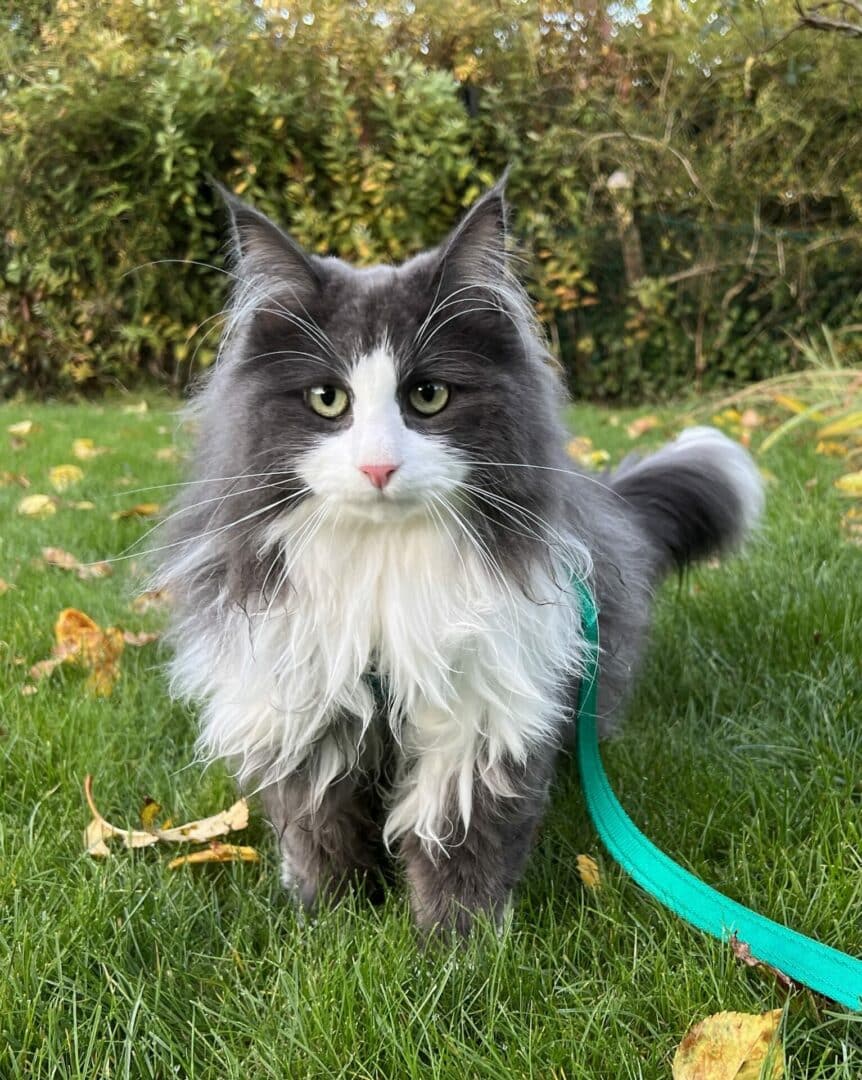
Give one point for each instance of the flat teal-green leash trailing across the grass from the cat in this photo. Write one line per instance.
(826, 970)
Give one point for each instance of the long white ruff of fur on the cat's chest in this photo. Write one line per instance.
(475, 668)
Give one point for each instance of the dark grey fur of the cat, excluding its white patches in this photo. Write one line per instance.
(295, 318)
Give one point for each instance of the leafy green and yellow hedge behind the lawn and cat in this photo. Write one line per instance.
(366, 127)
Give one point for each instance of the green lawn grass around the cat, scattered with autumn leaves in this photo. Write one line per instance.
(743, 758)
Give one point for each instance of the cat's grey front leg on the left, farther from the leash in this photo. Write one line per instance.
(330, 843)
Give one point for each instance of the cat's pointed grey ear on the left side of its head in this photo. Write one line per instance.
(262, 250)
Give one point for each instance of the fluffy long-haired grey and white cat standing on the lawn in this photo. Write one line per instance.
(372, 564)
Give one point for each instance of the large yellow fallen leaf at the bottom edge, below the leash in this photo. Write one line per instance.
(732, 1047)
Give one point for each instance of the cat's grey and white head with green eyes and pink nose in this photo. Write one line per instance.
(383, 393)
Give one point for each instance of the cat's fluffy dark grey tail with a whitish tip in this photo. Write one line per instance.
(698, 495)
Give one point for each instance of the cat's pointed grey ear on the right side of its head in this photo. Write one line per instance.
(476, 252)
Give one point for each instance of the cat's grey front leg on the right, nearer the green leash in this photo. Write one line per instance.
(476, 871)
